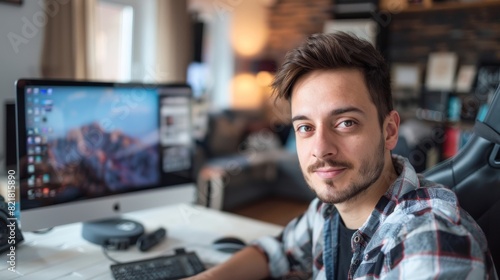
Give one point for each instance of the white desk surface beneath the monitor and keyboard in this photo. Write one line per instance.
(63, 254)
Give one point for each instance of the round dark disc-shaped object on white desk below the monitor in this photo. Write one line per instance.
(113, 234)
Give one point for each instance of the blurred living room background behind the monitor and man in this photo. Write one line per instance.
(444, 57)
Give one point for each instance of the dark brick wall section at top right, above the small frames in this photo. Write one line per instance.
(473, 33)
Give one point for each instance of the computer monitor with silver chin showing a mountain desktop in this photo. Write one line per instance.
(94, 150)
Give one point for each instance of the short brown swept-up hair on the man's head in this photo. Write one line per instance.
(336, 51)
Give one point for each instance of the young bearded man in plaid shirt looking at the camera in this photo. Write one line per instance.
(374, 217)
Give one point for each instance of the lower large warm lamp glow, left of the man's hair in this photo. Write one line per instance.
(246, 92)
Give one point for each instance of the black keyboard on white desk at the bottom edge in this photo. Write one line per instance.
(180, 265)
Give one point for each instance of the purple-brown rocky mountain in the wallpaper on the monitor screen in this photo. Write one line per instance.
(95, 161)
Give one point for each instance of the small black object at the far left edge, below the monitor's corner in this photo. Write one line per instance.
(10, 234)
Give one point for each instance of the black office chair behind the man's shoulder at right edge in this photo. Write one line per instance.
(474, 174)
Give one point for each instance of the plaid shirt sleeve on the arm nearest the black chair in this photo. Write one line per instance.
(446, 250)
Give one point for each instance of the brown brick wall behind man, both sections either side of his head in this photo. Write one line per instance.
(472, 32)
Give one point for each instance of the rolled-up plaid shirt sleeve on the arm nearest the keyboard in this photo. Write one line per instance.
(291, 251)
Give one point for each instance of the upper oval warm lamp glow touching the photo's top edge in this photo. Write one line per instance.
(249, 28)
